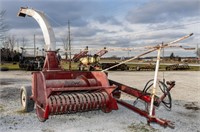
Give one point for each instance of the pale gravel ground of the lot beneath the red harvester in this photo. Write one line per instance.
(185, 110)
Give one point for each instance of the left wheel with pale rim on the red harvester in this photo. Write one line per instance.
(28, 102)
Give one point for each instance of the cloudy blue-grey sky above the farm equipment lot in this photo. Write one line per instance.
(110, 23)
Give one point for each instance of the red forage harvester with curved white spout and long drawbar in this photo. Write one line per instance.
(56, 91)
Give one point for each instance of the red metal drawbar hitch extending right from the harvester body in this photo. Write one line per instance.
(147, 98)
